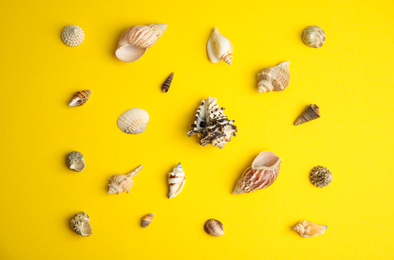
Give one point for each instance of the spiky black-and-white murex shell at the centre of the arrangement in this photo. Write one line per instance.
(211, 125)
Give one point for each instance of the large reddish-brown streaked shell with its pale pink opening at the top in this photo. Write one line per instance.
(264, 171)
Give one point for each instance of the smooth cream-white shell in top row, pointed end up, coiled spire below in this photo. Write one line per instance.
(219, 48)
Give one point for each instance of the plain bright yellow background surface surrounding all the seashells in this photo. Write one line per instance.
(350, 78)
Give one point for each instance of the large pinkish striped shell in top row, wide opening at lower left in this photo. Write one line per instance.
(137, 39)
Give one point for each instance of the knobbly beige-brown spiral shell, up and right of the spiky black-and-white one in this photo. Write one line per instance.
(275, 78)
